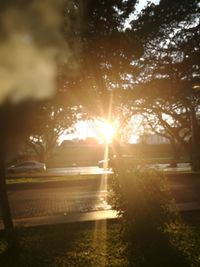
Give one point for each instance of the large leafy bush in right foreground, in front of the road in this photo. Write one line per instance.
(149, 219)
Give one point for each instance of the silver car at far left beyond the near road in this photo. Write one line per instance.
(27, 166)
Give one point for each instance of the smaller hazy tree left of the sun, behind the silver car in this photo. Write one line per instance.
(53, 120)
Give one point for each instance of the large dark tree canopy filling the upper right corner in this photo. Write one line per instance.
(161, 80)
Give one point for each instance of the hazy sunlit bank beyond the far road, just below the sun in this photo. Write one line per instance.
(86, 155)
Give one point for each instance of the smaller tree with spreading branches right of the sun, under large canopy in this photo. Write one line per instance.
(168, 117)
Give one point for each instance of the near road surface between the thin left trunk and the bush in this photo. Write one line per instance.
(52, 198)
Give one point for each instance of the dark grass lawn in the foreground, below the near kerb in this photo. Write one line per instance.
(78, 244)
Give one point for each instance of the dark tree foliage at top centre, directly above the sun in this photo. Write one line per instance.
(105, 51)
